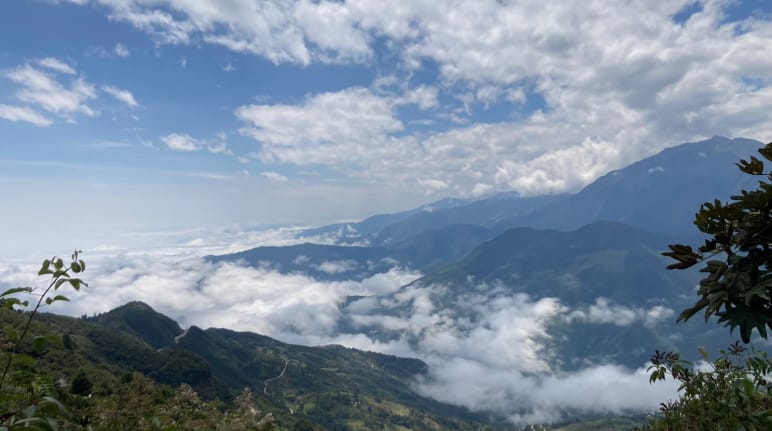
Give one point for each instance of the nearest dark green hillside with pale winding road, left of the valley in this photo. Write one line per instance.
(319, 388)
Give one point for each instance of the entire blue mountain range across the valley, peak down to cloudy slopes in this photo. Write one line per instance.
(596, 254)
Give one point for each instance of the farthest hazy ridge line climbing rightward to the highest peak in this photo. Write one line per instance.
(660, 194)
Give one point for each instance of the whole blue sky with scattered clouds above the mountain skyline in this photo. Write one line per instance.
(124, 116)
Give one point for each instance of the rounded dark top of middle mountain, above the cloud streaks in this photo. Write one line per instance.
(606, 259)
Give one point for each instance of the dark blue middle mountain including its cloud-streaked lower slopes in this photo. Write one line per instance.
(617, 302)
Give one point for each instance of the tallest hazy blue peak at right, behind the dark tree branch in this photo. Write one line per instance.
(659, 194)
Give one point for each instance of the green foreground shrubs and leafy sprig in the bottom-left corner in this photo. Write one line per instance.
(31, 398)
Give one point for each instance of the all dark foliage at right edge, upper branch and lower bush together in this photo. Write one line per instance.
(732, 392)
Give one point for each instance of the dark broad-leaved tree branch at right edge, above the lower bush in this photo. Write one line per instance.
(737, 257)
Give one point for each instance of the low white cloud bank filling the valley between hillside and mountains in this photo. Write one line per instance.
(487, 349)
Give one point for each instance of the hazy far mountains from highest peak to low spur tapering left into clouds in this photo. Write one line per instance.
(659, 194)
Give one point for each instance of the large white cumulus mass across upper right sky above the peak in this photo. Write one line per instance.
(565, 68)
